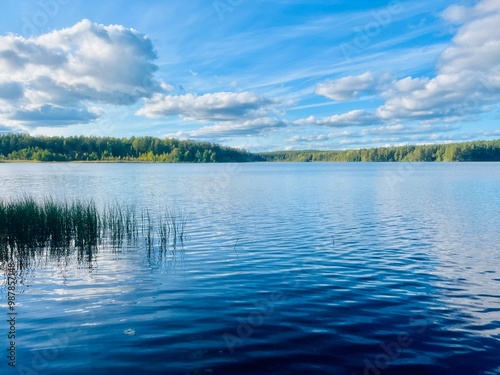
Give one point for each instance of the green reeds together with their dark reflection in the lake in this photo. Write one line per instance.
(40, 234)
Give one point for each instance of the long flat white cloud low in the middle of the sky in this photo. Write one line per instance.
(219, 106)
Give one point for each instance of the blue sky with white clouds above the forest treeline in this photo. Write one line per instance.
(261, 75)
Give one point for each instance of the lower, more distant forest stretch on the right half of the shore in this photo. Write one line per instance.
(467, 151)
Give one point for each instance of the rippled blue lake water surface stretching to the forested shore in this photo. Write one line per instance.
(300, 268)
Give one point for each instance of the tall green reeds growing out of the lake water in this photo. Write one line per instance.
(29, 226)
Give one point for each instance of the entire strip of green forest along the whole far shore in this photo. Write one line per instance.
(15, 147)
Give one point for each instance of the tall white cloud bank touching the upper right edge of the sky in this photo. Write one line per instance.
(468, 72)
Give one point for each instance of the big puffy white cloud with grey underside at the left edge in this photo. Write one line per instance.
(55, 78)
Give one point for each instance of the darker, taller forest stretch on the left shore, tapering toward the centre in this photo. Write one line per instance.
(147, 149)
